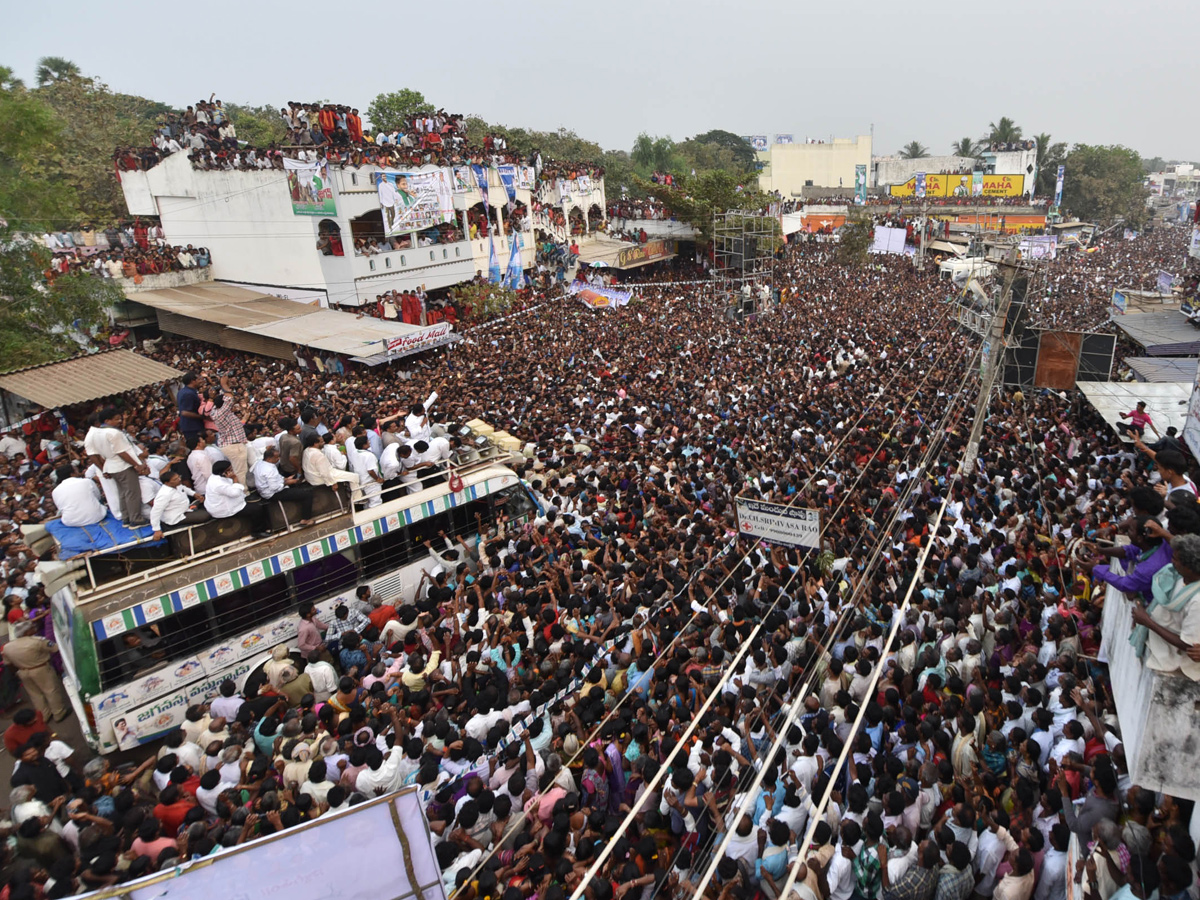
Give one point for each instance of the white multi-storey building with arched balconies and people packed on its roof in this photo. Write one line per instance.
(247, 219)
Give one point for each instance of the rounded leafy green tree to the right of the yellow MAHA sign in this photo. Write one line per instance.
(1103, 183)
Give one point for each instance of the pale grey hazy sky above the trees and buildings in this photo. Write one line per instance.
(1088, 73)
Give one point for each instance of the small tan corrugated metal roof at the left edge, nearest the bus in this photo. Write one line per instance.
(83, 379)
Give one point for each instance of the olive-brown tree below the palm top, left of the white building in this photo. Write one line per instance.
(94, 123)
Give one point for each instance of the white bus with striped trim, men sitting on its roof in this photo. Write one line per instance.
(219, 613)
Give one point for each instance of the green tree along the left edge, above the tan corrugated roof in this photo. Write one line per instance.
(34, 316)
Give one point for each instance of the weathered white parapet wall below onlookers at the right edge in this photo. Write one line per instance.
(1160, 713)
